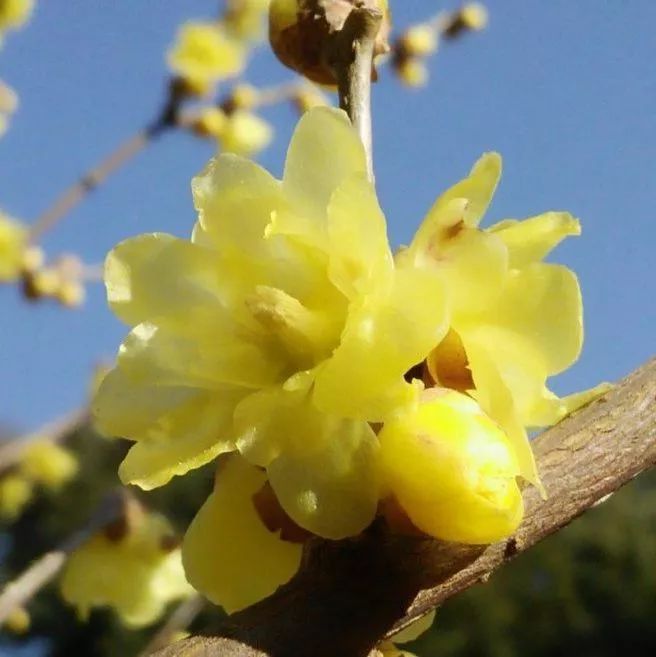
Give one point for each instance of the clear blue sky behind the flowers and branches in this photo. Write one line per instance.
(565, 90)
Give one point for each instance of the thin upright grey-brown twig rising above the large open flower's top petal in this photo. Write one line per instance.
(351, 57)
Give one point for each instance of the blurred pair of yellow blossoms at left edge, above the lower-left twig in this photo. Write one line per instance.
(42, 463)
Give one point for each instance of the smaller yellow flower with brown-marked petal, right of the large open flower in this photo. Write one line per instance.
(515, 320)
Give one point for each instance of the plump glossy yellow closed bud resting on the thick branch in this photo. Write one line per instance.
(452, 470)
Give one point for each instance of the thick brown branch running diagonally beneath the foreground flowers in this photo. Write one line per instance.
(350, 594)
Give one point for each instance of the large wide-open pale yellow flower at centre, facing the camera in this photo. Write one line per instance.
(281, 330)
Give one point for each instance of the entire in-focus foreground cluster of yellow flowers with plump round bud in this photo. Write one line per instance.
(343, 381)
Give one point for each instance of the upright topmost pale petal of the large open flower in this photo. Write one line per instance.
(324, 150)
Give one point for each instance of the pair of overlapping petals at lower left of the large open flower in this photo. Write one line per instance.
(177, 429)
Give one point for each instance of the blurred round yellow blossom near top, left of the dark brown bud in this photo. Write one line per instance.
(204, 54)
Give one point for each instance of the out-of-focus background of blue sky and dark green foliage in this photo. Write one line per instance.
(566, 91)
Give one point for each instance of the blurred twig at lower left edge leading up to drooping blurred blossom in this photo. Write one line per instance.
(22, 589)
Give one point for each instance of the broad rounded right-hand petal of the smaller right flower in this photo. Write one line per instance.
(541, 303)
